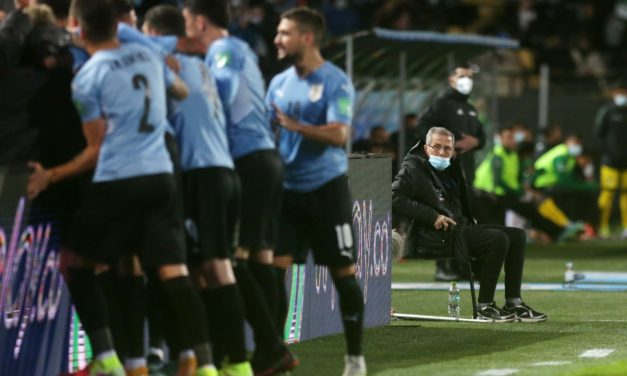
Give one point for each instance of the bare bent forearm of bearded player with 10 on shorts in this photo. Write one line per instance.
(334, 134)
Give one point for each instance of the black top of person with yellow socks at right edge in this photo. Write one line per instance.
(611, 128)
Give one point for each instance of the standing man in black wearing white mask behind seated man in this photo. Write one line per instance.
(453, 112)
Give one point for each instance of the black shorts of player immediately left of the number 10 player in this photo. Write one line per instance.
(261, 174)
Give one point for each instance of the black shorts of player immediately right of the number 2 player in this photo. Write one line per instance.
(211, 213)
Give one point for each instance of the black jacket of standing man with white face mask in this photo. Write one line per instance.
(453, 112)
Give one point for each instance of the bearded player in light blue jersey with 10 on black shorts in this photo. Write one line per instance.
(312, 102)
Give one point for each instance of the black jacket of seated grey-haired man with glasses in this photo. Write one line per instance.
(418, 195)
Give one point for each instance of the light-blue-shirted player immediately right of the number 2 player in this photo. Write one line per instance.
(211, 194)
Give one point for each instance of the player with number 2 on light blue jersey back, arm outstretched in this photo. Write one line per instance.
(130, 207)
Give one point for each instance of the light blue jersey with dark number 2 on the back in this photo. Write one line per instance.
(125, 86)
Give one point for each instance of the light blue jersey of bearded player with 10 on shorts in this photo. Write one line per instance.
(325, 96)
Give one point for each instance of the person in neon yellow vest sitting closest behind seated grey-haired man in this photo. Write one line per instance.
(499, 175)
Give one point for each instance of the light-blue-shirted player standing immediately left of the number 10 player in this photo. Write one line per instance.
(241, 88)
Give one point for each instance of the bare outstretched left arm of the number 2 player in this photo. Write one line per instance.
(41, 178)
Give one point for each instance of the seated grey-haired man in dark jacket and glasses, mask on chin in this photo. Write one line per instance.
(431, 191)
